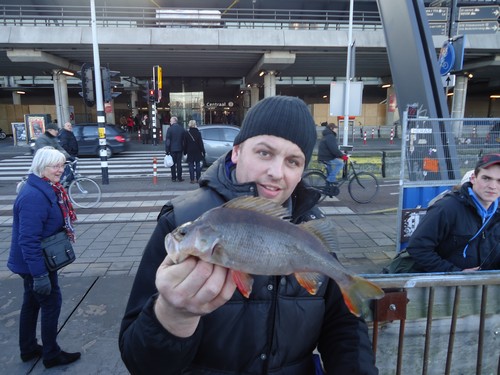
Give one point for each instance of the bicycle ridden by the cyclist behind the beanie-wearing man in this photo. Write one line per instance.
(362, 186)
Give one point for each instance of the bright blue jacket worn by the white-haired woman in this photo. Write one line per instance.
(37, 215)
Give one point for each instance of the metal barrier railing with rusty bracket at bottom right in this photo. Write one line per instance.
(437, 323)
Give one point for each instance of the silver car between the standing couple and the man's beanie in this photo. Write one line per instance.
(218, 140)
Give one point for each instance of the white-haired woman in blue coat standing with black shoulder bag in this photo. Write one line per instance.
(41, 209)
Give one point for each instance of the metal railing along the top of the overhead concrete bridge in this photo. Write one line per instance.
(112, 16)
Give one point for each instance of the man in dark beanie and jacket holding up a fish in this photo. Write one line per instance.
(189, 317)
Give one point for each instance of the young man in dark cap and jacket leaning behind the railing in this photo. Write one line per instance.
(461, 231)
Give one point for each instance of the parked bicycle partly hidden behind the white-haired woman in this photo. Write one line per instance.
(83, 191)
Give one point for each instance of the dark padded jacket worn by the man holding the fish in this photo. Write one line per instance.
(273, 332)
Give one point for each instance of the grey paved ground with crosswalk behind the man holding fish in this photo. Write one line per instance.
(109, 245)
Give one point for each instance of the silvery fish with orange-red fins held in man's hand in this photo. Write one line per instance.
(253, 236)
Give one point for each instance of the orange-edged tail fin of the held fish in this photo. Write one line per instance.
(358, 291)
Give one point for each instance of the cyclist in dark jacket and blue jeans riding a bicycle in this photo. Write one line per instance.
(329, 153)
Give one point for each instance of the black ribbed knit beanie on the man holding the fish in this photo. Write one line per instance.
(282, 116)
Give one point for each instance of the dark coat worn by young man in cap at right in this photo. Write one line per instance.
(439, 240)
